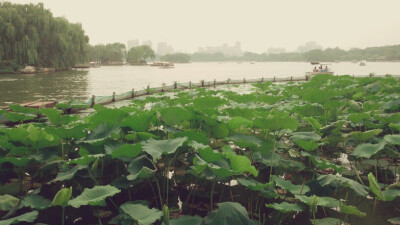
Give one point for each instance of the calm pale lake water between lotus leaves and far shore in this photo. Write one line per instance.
(17, 88)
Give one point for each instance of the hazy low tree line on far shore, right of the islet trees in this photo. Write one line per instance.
(385, 53)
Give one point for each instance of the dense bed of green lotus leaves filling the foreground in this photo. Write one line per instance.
(319, 152)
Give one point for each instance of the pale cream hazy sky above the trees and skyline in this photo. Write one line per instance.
(257, 24)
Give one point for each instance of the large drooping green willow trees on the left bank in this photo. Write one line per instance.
(30, 35)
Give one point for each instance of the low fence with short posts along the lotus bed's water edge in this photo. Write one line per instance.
(103, 100)
